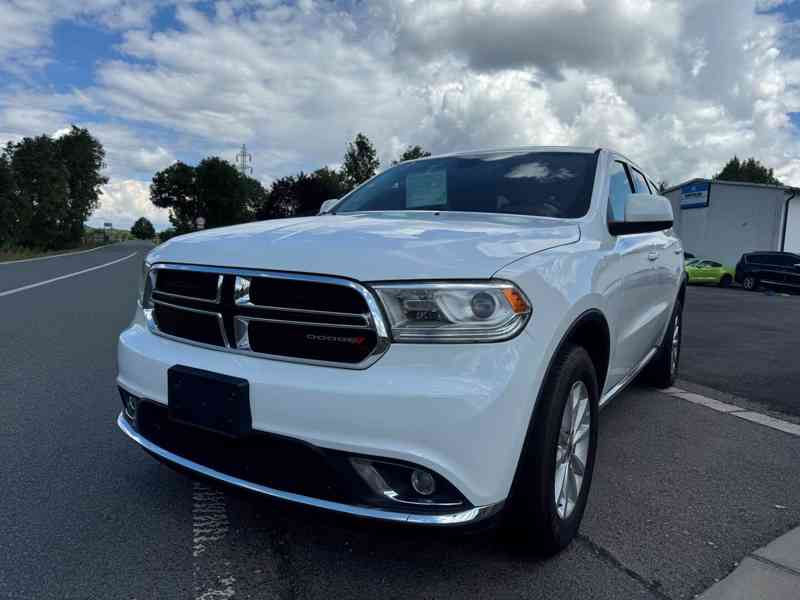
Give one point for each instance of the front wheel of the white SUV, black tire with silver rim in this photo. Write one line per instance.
(539, 519)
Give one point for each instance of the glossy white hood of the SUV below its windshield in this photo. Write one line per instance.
(374, 246)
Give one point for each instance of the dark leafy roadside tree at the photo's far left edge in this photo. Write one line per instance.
(42, 190)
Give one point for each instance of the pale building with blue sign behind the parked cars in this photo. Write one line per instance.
(722, 220)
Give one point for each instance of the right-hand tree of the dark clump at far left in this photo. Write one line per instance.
(83, 158)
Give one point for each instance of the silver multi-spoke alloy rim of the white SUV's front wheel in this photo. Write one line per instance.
(572, 449)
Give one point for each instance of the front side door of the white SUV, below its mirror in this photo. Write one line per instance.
(640, 317)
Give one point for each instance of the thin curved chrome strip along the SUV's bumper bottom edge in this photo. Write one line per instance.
(462, 517)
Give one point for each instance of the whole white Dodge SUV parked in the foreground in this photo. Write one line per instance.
(433, 350)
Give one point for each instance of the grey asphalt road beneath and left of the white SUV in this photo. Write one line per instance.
(680, 493)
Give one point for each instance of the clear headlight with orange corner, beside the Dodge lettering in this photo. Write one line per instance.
(454, 312)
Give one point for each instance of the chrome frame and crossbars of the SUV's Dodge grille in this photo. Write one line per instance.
(372, 320)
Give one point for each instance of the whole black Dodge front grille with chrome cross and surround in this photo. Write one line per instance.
(301, 318)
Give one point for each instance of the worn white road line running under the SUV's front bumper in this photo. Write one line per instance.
(209, 525)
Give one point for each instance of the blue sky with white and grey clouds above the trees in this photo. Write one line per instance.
(679, 86)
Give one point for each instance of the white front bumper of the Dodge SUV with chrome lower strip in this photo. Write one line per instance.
(461, 411)
